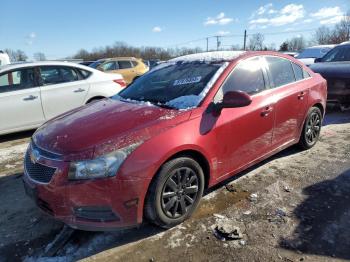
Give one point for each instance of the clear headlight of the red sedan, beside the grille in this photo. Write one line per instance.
(103, 166)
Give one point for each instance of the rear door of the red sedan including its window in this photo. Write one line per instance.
(291, 94)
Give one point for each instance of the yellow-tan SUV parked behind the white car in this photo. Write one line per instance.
(129, 67)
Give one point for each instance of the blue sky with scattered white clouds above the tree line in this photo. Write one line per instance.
(60, 28)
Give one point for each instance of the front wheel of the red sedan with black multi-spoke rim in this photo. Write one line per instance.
(166, 204)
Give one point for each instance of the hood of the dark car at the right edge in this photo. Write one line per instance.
(332, 69)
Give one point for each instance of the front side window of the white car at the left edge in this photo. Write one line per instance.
(17, 80)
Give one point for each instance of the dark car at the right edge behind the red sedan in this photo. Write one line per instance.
(335, 68)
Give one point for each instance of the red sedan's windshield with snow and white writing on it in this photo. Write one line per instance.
(177, 85)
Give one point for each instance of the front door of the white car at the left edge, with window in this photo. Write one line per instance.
(20, 102)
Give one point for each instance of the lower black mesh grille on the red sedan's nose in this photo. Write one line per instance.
(38, 172)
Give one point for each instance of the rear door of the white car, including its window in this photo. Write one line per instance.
(62, 89)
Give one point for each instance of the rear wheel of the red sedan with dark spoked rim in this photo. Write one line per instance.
(311, 129)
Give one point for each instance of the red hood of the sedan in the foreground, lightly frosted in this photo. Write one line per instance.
(104, 126)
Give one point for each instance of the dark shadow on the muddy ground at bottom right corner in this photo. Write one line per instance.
(324, 216)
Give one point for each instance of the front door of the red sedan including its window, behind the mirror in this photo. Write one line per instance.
(244, 134)
